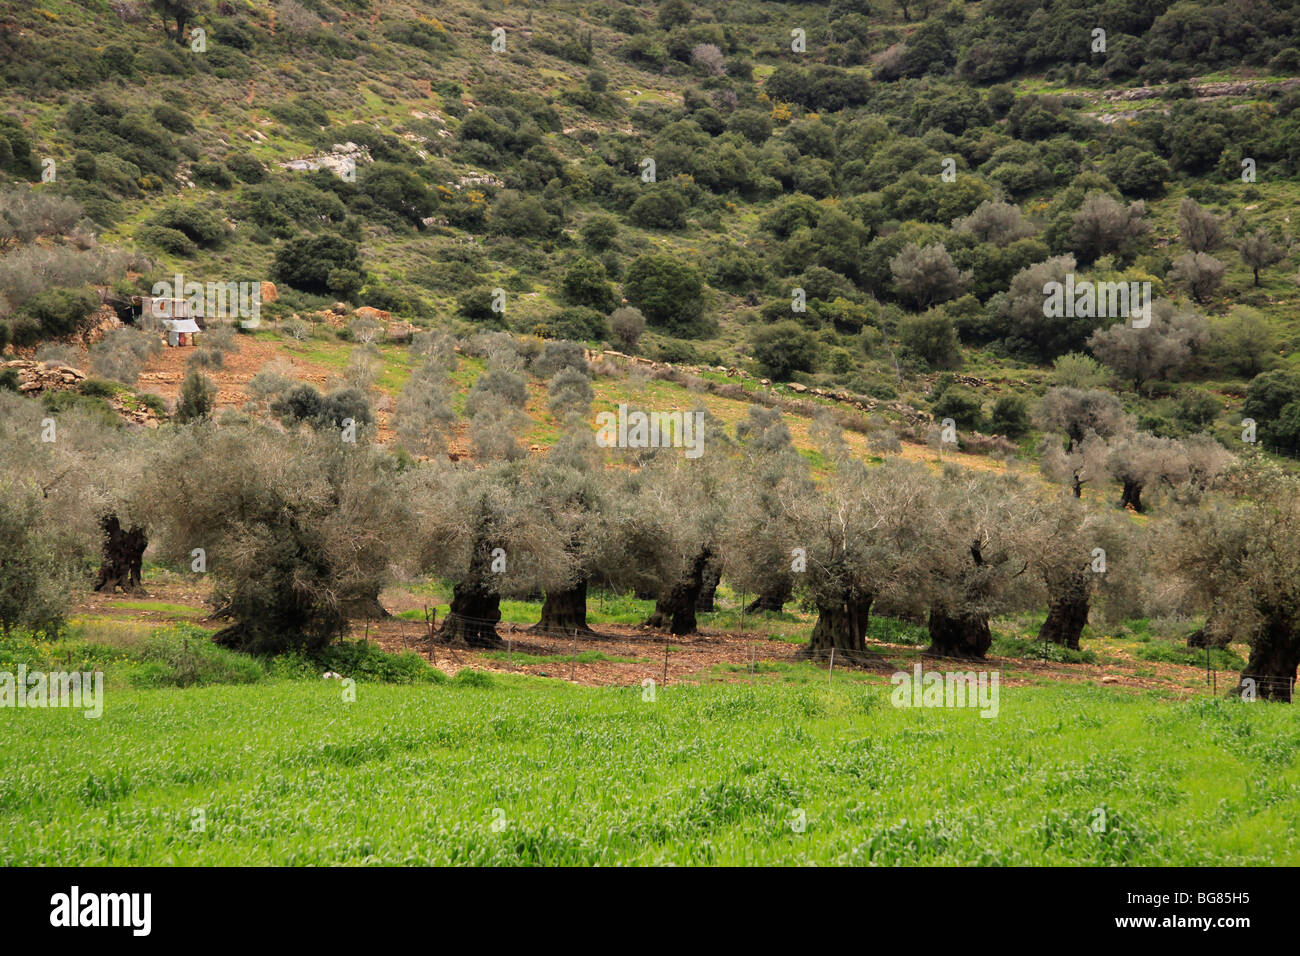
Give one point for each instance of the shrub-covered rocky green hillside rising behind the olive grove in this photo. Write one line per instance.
(449, 170)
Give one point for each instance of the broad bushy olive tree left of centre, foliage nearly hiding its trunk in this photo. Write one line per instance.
(297, 530)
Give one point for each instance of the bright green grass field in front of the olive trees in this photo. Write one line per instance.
(289, 773)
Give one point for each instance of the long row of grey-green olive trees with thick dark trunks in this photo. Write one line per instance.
(302, 529)
